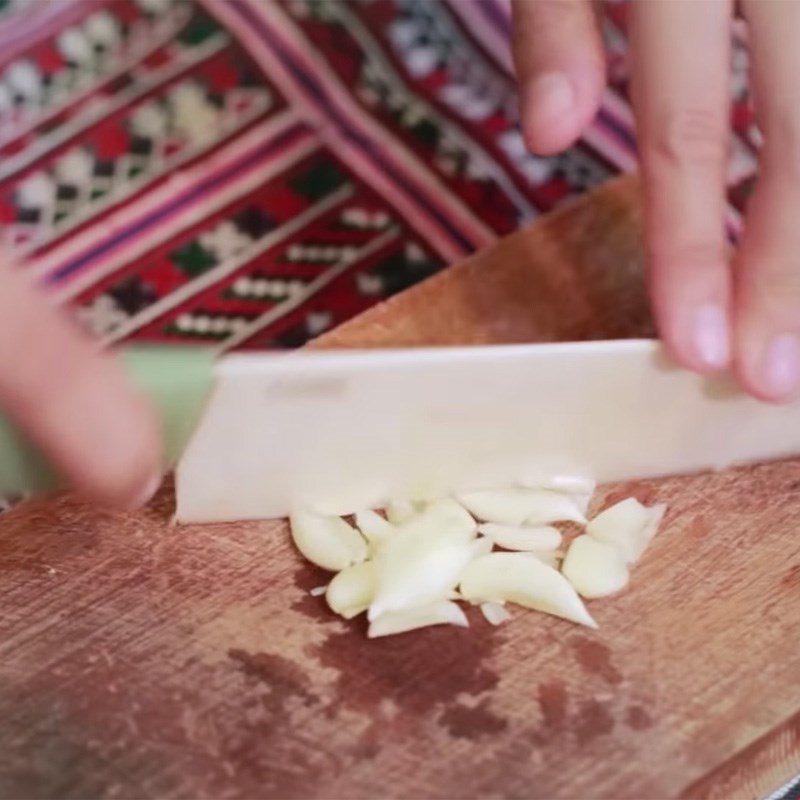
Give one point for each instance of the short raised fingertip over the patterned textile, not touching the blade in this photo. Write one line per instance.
(560, 64)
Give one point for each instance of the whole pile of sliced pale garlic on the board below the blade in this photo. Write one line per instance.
(406, 569)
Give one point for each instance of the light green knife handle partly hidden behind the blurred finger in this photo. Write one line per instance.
(177, 380)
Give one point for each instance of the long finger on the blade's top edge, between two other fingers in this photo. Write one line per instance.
(681, 58)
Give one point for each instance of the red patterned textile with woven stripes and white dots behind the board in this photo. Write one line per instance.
(251, 173)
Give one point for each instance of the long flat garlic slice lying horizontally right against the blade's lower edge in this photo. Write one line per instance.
(518, 505)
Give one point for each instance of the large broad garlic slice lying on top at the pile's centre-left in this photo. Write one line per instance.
(418, 567)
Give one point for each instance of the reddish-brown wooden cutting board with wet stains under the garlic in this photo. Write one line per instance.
(139, 659)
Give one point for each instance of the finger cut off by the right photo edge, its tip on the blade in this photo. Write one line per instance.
(767, 307)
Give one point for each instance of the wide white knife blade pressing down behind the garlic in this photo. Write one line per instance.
(340, 431)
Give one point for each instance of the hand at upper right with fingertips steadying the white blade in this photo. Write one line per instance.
(710, 313)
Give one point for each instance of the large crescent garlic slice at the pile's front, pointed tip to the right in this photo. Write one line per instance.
(523, 579)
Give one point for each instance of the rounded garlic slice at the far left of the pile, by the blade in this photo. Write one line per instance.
(328, 542)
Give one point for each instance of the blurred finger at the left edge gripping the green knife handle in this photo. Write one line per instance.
(73, 402)
